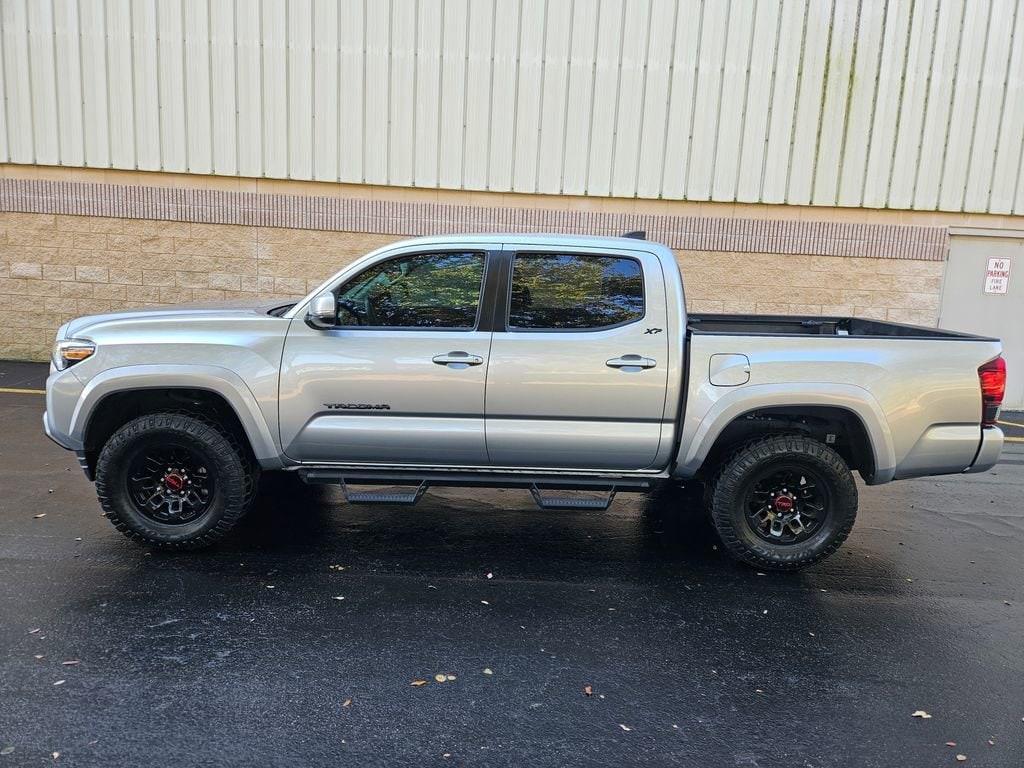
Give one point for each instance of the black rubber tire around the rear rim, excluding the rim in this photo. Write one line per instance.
(728, 495)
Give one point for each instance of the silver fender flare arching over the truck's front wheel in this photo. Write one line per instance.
(215, 379)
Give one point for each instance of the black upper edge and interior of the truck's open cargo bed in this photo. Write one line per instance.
(783, 325)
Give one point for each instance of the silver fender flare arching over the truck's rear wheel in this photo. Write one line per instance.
(700, 436)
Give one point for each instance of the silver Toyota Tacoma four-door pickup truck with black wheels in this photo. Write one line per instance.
(551, 363)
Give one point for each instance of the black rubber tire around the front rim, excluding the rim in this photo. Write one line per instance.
(233, 495)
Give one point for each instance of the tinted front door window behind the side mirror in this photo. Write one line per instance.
(433, 290)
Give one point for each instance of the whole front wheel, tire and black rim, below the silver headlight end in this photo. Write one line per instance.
(174, 481)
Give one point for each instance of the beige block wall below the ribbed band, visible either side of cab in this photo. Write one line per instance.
(57, 268)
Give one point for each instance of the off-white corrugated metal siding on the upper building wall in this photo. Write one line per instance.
(883, 104)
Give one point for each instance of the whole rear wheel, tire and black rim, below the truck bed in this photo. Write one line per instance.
(784, 503)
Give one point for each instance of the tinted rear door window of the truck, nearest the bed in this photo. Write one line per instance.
(572, 291)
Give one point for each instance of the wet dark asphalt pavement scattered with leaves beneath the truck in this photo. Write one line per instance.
(247, 655)
